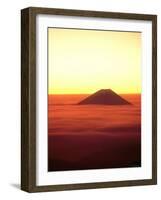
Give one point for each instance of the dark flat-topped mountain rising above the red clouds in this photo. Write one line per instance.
(104, 97)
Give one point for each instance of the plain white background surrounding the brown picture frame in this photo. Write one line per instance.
(10, 99)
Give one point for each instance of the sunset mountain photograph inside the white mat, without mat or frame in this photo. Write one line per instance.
(94, 99)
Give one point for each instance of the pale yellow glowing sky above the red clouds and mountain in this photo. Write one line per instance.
(84, 61)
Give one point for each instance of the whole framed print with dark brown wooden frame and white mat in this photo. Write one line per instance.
(88, 99)
